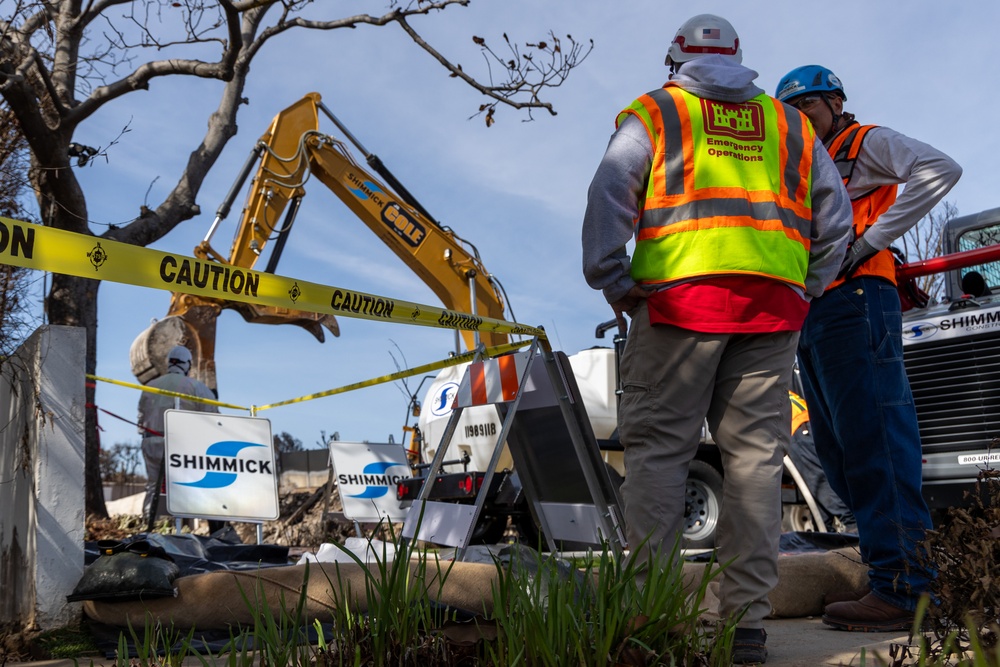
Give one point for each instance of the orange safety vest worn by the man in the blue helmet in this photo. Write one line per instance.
(844, 150)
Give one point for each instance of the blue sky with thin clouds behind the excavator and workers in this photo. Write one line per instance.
(516, 190)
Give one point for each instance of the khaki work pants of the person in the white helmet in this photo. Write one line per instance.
(674, 379)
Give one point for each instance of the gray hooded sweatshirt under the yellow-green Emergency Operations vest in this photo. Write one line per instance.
(615, 194)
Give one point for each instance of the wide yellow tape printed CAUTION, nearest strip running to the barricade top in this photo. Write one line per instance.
(84, 256)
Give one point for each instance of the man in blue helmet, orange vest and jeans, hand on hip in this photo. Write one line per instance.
(850, 354)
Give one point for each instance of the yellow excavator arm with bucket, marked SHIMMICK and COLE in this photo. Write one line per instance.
(286, 156)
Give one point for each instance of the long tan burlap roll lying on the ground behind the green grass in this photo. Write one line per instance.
(214, 600)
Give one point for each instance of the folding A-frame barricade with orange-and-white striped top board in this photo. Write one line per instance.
(556, 457)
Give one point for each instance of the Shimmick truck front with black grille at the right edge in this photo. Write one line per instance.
(952, 356)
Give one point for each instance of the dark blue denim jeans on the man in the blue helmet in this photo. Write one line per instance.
(865, 427)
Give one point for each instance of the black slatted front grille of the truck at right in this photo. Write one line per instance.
(956, 388)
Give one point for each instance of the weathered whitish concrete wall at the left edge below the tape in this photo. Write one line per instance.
(42, 520)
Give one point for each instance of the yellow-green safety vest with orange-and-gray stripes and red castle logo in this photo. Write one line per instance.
(728, 191)
